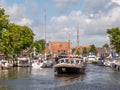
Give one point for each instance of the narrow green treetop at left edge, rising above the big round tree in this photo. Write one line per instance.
(3, 21)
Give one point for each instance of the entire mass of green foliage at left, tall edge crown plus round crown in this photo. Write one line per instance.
(13, 38)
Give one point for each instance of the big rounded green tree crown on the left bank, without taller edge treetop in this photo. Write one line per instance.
(16, 39)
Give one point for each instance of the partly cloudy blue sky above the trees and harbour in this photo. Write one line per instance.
(64, 17)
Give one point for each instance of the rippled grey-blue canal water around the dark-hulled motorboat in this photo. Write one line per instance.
(26, 78)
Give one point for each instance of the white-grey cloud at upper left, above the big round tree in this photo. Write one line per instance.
(21, 13)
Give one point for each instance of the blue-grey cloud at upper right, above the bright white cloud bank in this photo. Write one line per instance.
(98, 6)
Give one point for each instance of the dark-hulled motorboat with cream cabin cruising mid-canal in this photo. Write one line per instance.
(70, 66)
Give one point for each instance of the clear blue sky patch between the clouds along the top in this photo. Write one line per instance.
(49, 5)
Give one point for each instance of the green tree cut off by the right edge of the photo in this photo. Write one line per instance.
(114, 35)
